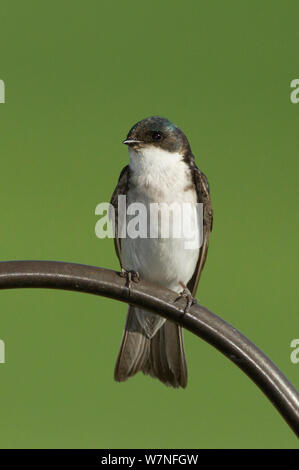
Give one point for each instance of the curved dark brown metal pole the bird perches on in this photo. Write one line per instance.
(200, 321)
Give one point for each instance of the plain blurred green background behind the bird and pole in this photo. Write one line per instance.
(78, 75)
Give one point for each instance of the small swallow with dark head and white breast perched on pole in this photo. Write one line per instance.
(161, 170)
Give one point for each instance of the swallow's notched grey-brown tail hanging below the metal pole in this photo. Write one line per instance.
(161, 356)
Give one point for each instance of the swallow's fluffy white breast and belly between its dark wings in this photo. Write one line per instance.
(158, 176)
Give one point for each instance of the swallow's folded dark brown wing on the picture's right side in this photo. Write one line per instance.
(203, 196)
